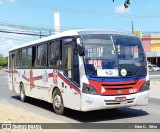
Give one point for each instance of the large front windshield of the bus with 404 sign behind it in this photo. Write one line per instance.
(106, 55)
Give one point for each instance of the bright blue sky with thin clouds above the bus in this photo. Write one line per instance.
(35, 16)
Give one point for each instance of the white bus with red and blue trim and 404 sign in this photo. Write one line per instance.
(82, 70)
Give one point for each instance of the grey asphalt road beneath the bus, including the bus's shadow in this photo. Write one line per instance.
(144, 114)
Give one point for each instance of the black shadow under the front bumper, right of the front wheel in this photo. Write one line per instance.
(106, 115)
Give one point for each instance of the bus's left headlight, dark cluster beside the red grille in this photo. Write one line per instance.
(88, 89)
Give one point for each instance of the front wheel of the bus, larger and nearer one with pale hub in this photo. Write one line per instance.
(57, 100)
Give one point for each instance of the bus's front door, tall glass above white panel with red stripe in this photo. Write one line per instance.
(72, 92)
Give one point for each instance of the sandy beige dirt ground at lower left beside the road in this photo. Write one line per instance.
(16, 115)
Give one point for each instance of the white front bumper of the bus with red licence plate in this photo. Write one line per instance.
(97, 102)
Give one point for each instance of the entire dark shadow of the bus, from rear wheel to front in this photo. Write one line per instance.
(91, 116)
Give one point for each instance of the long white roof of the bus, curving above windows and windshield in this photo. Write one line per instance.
(71, 33)
